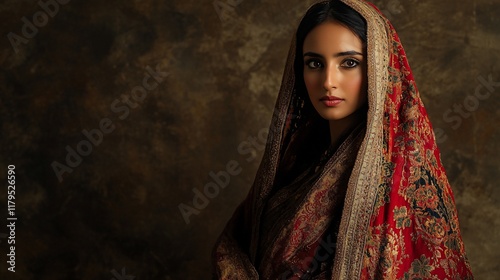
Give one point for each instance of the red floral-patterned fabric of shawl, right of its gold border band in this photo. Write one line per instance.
(414, 232)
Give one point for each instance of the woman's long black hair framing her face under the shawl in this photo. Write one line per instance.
(312, 137)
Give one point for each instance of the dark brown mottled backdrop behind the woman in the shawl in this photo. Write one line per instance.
(114, 111)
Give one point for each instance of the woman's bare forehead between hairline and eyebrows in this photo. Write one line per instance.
(331, 37)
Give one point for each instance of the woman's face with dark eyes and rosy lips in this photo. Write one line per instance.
(334, 71)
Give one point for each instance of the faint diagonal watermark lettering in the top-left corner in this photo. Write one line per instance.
(40, 19)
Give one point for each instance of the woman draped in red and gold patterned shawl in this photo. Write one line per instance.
(351, 185)
